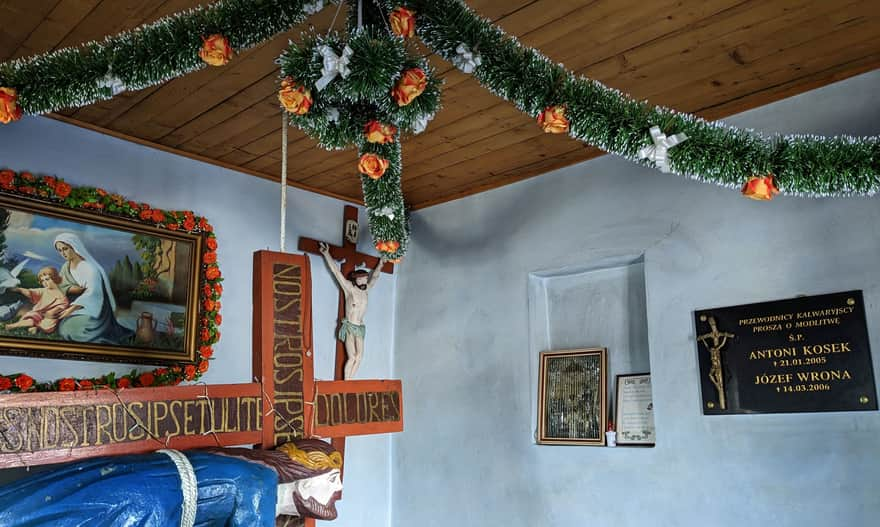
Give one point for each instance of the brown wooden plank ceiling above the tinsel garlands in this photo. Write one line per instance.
(711, 57)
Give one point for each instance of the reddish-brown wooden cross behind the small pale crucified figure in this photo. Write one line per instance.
(348, 252)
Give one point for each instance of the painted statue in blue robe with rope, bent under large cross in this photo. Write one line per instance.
(220, 487)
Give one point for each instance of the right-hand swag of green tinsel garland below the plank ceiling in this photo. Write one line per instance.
(611, 120)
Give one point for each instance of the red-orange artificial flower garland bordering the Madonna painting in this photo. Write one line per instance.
(58, 192)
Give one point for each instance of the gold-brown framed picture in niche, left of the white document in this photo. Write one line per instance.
(572, 397)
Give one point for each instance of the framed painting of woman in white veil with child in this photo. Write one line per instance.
(74, 285)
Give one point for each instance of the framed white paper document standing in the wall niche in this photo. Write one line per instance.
(635, 410)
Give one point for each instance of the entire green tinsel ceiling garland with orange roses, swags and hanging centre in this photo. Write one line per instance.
(561, 101)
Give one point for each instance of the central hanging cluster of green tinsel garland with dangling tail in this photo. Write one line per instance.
(339, 113)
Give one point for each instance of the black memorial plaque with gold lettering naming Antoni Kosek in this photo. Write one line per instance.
(806, 354)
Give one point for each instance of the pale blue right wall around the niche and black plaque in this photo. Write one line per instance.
(465, 346)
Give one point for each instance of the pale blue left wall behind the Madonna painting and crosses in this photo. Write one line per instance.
(245, 213)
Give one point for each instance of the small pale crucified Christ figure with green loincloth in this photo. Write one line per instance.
(355, 288)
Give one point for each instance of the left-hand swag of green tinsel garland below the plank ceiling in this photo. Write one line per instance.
(146, 56)
